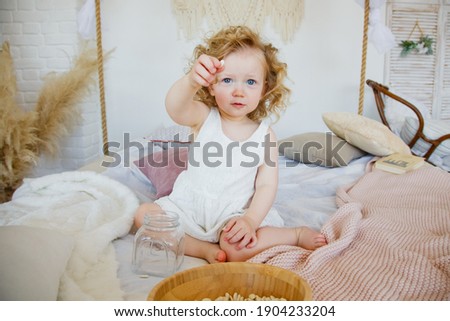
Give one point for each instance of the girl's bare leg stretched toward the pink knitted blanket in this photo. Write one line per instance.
(272, 236)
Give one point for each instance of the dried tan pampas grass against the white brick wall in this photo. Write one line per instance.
(24, 136)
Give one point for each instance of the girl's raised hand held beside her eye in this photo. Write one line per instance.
(204, 71)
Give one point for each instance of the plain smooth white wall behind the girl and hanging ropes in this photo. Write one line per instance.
(324, 62)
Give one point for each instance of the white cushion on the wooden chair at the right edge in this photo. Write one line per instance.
(433, 129)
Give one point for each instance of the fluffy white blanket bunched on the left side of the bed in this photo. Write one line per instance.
(91, 208)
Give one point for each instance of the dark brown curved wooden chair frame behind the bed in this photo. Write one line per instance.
(380, 91)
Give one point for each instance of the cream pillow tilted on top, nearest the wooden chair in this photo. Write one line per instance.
(367, 134)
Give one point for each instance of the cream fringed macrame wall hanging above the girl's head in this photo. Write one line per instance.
(285, 15)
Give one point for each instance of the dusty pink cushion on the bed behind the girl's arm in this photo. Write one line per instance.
(162, 168)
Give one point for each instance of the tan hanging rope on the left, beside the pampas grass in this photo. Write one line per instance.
(100, 75)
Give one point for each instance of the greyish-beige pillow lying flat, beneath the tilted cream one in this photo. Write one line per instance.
(322, 149)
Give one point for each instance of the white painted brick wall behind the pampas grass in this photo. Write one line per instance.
(43, 38)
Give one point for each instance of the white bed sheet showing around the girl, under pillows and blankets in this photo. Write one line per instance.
(306, 197)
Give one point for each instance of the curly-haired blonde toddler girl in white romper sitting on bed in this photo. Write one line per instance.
(224, 198)
